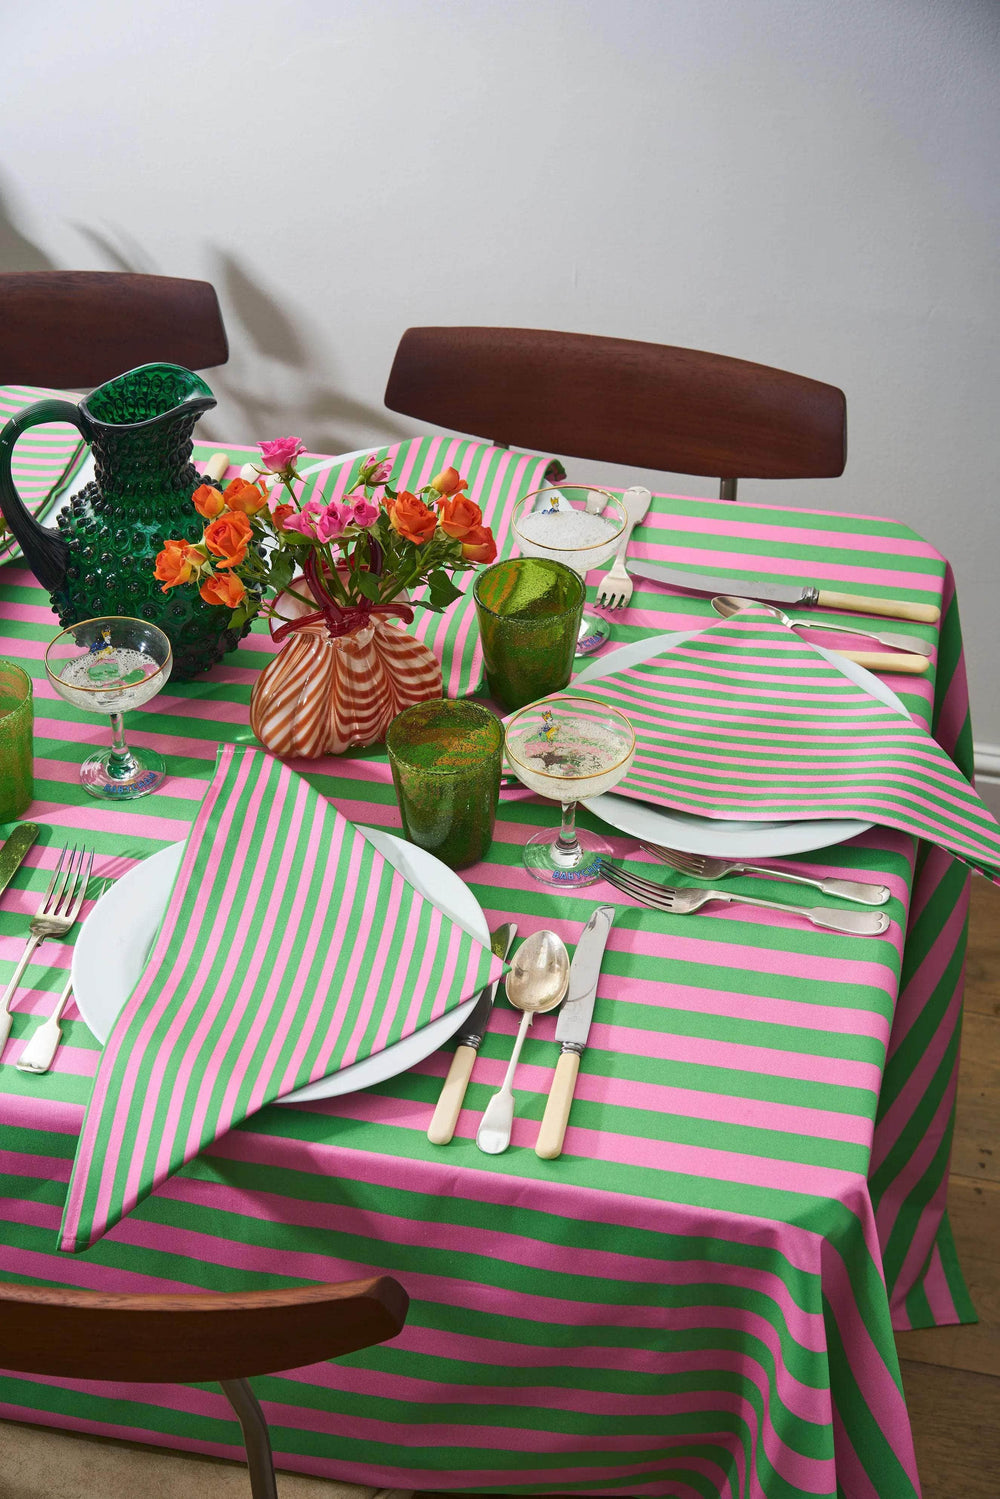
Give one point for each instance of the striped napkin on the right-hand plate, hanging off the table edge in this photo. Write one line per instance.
(749, 722)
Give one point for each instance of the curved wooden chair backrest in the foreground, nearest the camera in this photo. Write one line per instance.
(188, 1339)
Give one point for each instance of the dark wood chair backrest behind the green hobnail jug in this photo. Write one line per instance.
(76, 331)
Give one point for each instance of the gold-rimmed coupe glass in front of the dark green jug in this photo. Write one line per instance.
(109, 666)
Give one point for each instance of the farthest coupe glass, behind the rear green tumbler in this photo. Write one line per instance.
(579, 525)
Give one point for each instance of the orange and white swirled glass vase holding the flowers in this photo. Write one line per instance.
(334, 689)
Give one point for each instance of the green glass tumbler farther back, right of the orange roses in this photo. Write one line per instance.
(530, 615)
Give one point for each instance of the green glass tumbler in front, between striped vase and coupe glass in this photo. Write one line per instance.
(446, 759)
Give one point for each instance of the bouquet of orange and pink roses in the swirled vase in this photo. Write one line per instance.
(356, 555)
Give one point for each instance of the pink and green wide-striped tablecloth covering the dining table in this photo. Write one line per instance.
(698, 1297)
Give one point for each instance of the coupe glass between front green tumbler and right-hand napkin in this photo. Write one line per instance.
(569, 749)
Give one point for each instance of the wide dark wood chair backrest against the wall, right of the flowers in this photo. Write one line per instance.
(647, 405)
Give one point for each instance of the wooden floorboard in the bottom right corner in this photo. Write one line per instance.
(956, 1432)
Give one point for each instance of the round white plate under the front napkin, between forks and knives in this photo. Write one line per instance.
(116, 938)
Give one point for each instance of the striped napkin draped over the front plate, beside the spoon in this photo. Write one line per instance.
(290, 950)
